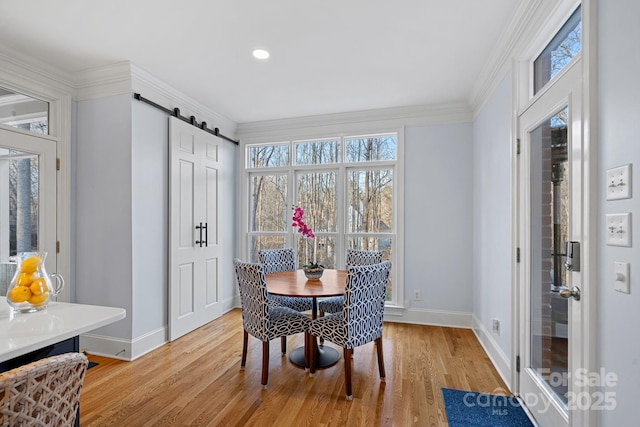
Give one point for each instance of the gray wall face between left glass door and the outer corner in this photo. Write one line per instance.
(103, 223)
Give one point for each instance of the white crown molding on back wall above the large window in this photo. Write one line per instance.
(378, 120)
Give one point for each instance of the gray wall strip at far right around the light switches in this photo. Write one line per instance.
(618, 315)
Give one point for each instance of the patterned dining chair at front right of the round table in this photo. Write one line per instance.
(360, 320)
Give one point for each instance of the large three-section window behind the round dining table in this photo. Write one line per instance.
(346, 187)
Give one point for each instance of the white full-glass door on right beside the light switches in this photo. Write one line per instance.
(553, 196)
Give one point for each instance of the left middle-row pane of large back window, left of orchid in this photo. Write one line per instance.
(268, 203)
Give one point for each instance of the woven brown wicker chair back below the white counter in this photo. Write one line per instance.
(43, 393)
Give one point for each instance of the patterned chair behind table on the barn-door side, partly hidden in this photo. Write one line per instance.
(275, 261)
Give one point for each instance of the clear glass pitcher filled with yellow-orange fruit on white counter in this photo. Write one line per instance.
(31, 286)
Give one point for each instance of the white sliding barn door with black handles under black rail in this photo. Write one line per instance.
(195, 249)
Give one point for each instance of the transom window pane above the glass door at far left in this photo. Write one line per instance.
(23, 112)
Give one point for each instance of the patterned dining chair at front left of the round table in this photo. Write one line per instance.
(263, 319)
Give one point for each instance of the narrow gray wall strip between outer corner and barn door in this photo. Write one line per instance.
(150, 217)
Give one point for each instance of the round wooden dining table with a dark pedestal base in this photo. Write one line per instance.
(295, 284)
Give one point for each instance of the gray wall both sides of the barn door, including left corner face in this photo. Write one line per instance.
(121, 212)
